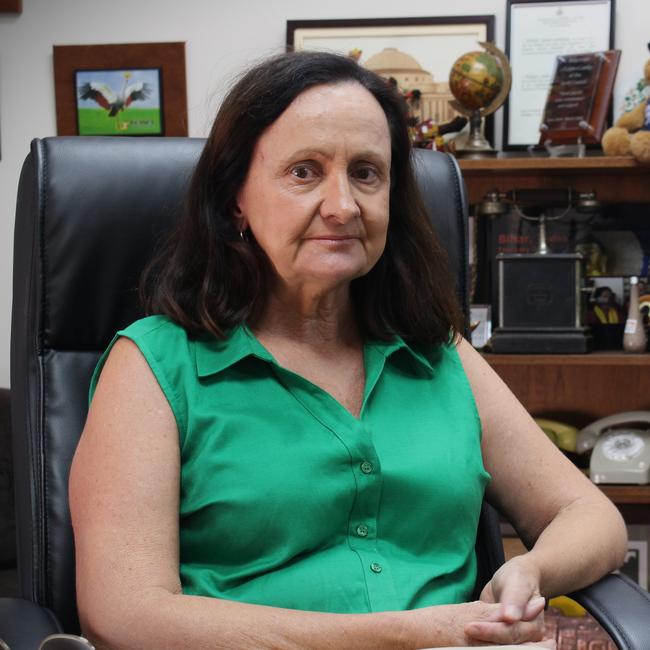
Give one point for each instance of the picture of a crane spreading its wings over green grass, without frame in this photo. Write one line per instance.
(119, 102)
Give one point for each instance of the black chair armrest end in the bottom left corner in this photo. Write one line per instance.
(24, 624)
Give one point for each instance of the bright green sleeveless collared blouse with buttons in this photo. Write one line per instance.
(286, 499)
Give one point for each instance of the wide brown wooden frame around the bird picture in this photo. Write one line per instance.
(169, 58)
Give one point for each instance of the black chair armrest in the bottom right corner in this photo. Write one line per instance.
(621, 607)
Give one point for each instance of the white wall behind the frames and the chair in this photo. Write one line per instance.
(221, 37)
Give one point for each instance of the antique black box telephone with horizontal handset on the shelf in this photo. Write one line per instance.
(540, 304)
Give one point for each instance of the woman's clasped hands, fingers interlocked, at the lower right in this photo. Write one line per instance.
(519, 614)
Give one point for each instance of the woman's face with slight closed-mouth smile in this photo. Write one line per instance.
(316, 196)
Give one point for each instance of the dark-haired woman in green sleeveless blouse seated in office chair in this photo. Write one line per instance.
(304, 400)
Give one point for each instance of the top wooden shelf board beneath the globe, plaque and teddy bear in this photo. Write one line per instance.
(613, 178)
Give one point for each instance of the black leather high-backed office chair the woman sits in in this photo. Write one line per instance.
(89, 213)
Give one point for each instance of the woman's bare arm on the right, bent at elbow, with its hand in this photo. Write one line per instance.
(574, 533)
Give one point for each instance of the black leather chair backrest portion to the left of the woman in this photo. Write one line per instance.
(88, 214)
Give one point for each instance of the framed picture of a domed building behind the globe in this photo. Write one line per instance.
(417, 52)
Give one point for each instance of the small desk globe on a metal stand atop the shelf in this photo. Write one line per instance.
(480, 82)
